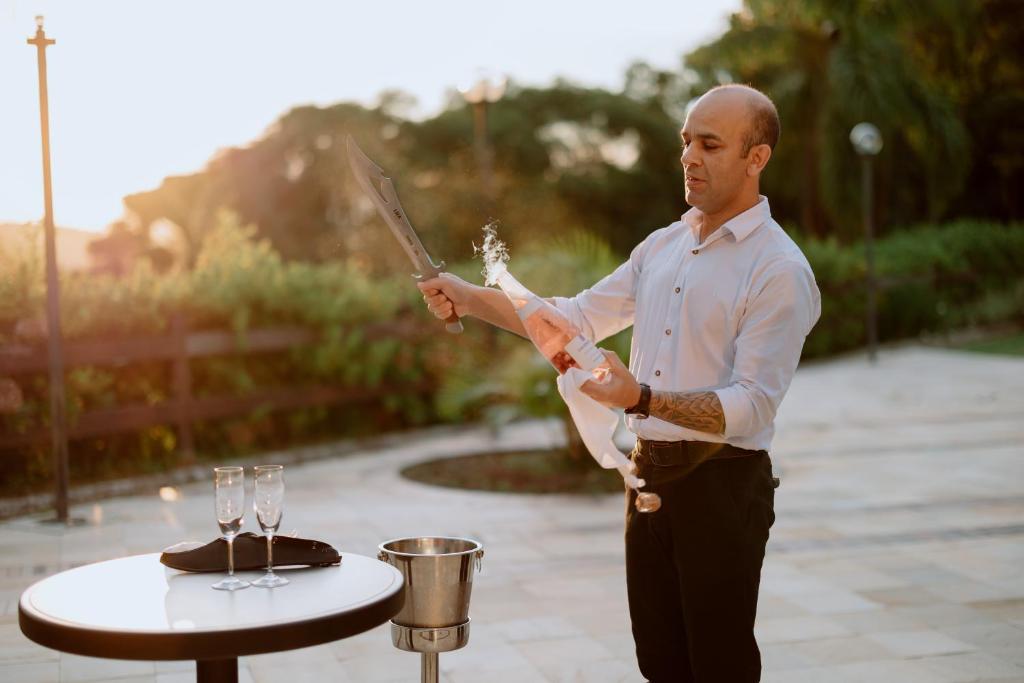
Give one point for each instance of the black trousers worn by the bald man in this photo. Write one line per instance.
(693, 569)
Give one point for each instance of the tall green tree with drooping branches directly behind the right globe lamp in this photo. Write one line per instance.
(829, 65)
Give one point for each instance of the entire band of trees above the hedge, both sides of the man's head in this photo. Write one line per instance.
(944, 79)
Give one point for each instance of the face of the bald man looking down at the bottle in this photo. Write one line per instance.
(713, 142)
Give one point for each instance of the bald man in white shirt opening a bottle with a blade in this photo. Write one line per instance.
(720, 304)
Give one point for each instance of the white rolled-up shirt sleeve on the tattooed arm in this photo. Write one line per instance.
(767, 349)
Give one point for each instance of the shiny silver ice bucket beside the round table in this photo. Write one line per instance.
(439, 577)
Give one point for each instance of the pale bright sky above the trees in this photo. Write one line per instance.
(140, 90)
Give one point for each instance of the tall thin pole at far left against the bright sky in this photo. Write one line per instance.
(59, 418)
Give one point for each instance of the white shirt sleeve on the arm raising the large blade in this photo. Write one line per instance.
(610, 306)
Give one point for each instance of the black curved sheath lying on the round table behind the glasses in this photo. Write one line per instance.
(250, 553)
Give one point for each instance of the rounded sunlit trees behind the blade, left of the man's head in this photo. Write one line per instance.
(566, 158)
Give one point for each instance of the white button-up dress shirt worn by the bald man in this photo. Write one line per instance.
(729, 316)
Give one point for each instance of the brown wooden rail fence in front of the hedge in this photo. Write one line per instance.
(179, 348)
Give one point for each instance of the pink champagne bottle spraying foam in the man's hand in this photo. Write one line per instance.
(554, 335)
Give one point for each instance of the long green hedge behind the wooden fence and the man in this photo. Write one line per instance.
(936, 279)
